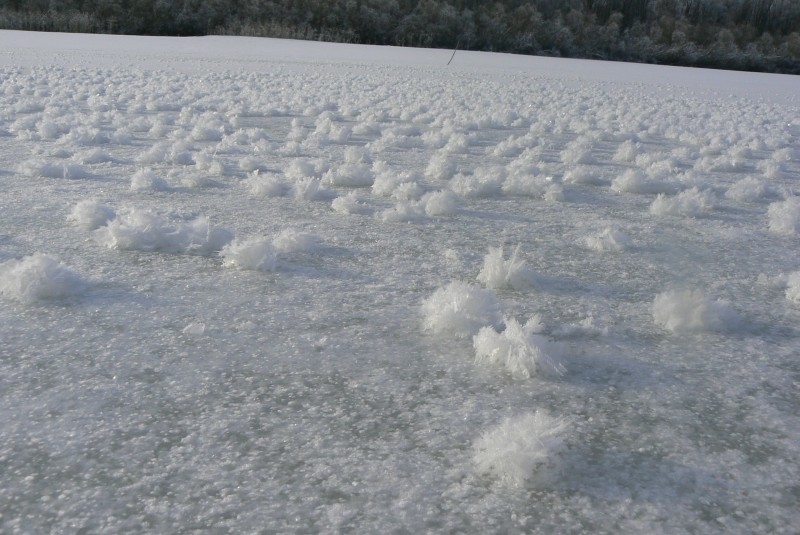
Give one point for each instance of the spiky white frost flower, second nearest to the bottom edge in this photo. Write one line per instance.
(519, 348)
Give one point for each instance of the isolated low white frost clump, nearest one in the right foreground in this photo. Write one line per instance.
(693, 311)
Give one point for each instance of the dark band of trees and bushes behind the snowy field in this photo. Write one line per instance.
(739, 34)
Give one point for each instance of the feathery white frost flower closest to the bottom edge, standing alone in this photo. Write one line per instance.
(519, 446)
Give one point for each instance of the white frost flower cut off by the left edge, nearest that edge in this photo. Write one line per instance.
(38, 277)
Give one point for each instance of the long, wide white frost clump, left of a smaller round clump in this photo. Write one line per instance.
(145, 230)
